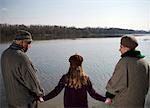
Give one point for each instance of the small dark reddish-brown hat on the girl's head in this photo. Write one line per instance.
(76, 59)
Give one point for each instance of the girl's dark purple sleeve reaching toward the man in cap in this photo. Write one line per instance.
(55, 91)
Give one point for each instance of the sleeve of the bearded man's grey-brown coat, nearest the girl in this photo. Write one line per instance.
(26, 75)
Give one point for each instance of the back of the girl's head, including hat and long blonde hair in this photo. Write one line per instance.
(76, 76)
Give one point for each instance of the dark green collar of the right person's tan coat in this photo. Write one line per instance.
(133, 53)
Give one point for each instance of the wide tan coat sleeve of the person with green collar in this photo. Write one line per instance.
(119, 80)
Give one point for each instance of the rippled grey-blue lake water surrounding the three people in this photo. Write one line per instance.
(51, 59)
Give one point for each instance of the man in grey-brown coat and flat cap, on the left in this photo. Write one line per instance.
(21, 83)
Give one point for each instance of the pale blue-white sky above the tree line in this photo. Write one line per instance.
(126, 14)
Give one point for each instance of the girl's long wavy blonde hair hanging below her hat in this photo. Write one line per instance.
(76, 77)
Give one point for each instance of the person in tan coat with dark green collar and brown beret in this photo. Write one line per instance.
(129, 83)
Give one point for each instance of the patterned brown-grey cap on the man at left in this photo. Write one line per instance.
(23, 35)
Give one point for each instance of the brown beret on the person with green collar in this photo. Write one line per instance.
(129, 41)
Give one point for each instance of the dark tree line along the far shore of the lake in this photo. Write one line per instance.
(45, 32)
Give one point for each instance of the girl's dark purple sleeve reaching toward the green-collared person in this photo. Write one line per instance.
(93, 93)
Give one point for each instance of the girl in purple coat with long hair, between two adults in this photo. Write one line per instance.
(76, 84)
